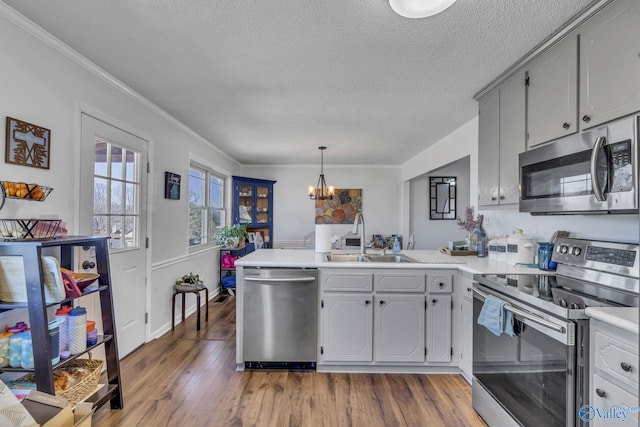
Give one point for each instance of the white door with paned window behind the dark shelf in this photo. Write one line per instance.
(113, 192)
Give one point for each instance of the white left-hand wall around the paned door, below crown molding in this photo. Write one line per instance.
(43, 82)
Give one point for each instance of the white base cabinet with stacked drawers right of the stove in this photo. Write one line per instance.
(614, 372)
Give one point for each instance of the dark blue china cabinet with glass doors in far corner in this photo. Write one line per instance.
(253, 205)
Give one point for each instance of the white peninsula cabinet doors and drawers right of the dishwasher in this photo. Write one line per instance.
(393, 322)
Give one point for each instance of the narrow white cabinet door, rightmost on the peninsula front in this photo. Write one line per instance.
(439, 328)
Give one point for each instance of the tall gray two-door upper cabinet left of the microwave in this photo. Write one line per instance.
(501, 138)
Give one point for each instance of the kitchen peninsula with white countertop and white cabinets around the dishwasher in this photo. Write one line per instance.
(381, 316)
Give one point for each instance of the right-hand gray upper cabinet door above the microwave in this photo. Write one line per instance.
(610, 64)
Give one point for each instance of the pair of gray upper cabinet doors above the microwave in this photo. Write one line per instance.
(590, 77)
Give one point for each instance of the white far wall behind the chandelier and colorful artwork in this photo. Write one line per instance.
(294, 214)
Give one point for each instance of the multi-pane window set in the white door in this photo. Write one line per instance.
(116, 197)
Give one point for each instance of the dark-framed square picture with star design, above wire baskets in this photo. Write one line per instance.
(27, 144)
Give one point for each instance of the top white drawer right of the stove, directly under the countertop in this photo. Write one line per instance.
(615, 358)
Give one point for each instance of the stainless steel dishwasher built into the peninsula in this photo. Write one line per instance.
(280, 317)
